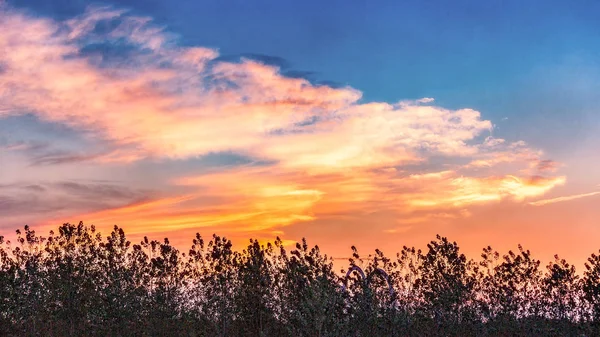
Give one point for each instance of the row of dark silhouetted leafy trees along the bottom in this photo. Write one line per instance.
(75, 282)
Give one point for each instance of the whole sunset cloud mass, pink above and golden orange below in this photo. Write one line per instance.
(330, 152)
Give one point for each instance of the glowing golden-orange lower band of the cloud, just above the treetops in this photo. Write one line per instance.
(259, 200)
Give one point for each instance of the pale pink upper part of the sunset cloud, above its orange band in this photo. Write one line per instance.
(161, 112)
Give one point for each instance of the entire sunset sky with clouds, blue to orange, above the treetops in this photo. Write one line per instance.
(370, 123)
